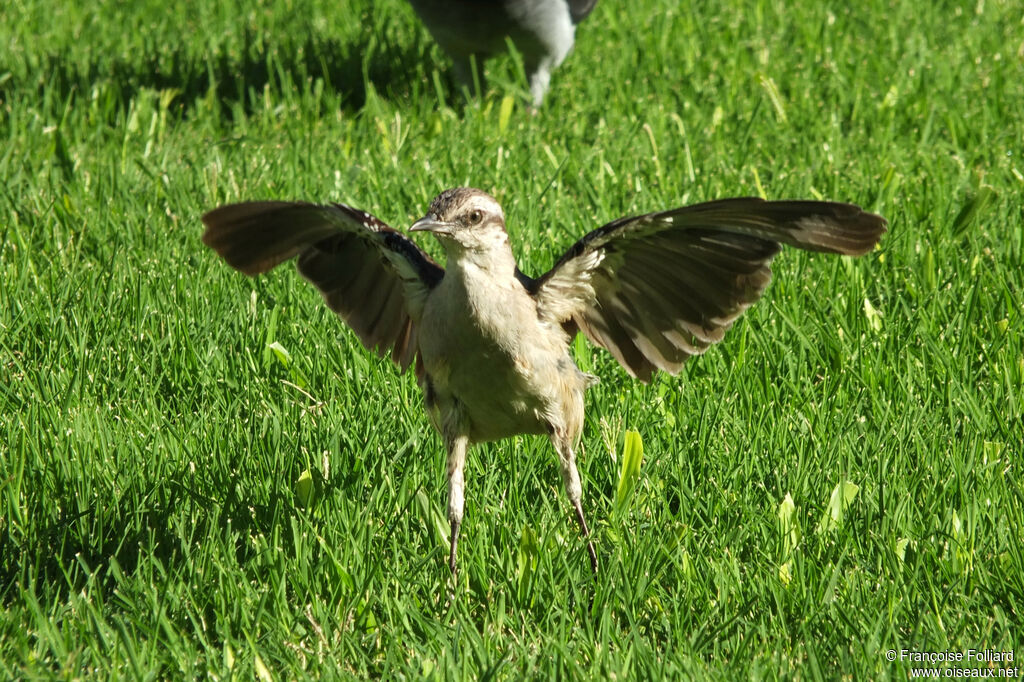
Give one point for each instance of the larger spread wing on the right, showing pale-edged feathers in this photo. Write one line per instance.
(656, 289)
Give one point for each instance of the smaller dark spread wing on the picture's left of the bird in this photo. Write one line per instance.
(372, 276)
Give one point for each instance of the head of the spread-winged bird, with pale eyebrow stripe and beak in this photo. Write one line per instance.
(465, 222)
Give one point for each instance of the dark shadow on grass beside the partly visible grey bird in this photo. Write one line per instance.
(235, 79)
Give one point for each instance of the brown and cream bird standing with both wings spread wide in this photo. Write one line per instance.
(491, 346)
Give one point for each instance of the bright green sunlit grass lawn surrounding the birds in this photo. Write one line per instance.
(150, 442)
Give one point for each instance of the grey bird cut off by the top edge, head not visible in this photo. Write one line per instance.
(543, 32)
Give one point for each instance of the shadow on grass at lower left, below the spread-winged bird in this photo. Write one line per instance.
(65, 552)
